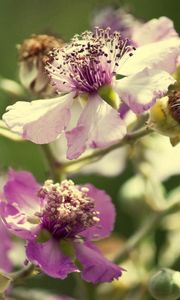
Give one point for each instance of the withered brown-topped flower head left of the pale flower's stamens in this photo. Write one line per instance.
(32, 53)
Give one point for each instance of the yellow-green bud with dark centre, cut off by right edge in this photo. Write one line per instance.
(165, 116)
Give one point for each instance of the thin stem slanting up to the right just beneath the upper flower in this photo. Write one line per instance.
(128, 139)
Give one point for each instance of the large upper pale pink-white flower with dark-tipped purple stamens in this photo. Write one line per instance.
(87, 68)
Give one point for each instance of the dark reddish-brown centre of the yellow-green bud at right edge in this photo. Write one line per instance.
(174, 105)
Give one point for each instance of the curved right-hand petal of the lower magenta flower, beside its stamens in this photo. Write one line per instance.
(106, 209)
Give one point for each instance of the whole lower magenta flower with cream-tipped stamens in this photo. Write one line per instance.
(59, 221)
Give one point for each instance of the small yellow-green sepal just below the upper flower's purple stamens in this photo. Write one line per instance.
(109, 95)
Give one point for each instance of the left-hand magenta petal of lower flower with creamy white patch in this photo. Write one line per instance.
(21, 203)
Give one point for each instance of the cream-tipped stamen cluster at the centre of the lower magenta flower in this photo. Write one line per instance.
(67, 210)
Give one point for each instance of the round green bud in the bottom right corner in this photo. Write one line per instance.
(165, 285)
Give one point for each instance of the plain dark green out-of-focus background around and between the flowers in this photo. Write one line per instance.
(21, 18)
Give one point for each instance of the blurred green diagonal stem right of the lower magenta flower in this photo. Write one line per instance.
(141, 233)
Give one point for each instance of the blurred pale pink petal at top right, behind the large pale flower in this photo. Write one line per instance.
(153, 31)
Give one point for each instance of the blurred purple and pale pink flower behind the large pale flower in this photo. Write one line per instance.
(141, 33)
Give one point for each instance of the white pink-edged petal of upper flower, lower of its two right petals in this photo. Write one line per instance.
(141, 90)
